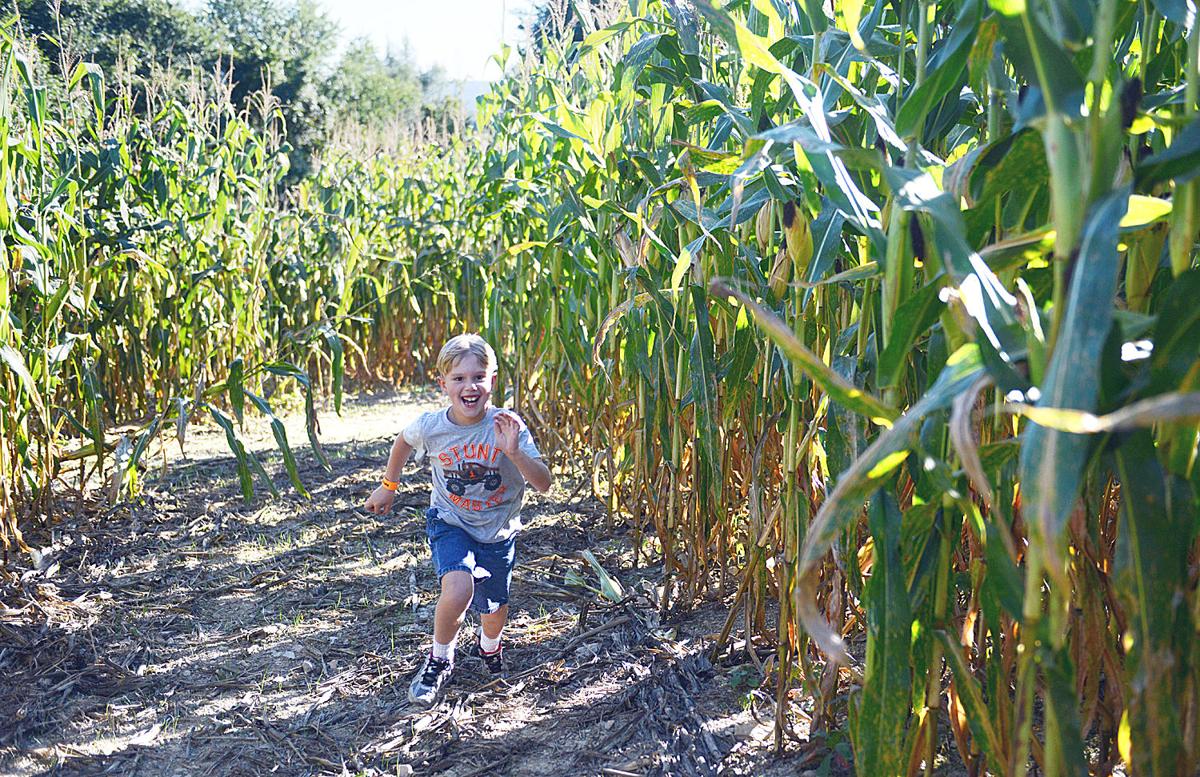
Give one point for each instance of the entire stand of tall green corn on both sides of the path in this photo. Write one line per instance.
(878, 322)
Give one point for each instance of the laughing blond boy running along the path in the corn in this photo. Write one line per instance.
(482, 457)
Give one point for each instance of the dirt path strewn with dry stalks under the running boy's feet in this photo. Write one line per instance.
(191, 634)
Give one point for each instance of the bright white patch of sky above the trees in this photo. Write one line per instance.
(459, 35)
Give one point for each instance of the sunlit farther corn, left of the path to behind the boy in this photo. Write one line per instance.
(157, 273)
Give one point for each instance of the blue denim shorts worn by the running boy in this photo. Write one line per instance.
(490, 564)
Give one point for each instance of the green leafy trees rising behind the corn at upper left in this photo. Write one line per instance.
(286, 49)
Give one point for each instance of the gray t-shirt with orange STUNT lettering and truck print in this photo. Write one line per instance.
(476, 486)
